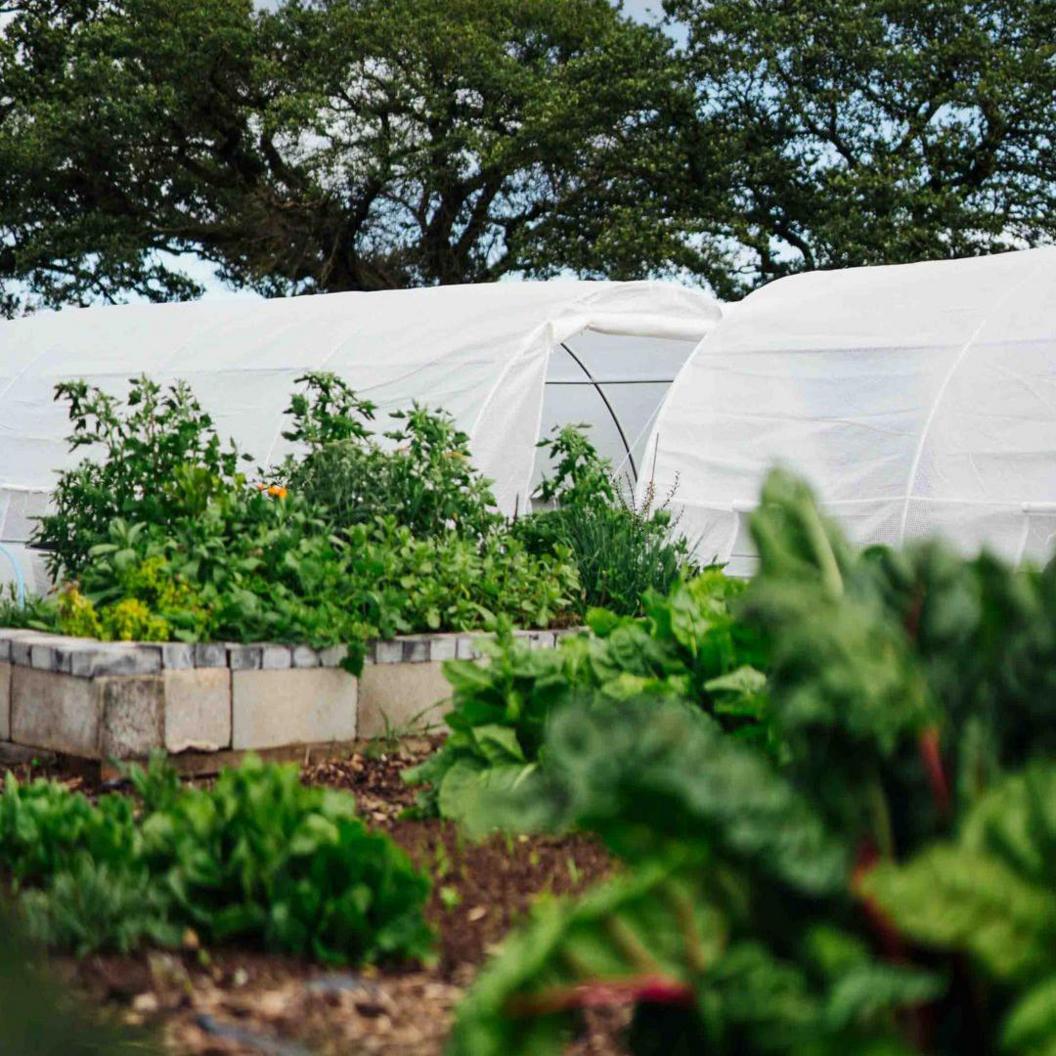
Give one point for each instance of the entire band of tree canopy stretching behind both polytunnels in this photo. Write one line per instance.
(334, 145)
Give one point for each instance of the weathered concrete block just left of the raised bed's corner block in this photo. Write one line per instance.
(51, 710)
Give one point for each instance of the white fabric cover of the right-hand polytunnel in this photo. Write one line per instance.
(918, 400)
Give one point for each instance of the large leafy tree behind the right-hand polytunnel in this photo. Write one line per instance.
(869, 131)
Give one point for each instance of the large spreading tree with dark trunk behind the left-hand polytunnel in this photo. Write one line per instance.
(329, 145)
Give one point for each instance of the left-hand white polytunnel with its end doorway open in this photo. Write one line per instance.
(484, 353)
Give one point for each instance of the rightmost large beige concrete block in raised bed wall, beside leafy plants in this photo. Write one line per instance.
(400, 697)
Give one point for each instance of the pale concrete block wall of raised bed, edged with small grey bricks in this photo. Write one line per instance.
(209, 702)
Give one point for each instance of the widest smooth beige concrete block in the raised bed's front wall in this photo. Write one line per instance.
(296, 706)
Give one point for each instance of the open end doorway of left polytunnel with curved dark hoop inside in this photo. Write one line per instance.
(614, 385)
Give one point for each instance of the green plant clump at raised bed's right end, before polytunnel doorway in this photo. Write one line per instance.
(621, 551)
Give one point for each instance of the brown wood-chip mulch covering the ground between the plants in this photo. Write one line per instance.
(229, 1003)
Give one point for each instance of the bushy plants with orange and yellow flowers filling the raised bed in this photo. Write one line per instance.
(159, 548)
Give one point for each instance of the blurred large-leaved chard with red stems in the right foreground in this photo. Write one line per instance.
(880, 883)
